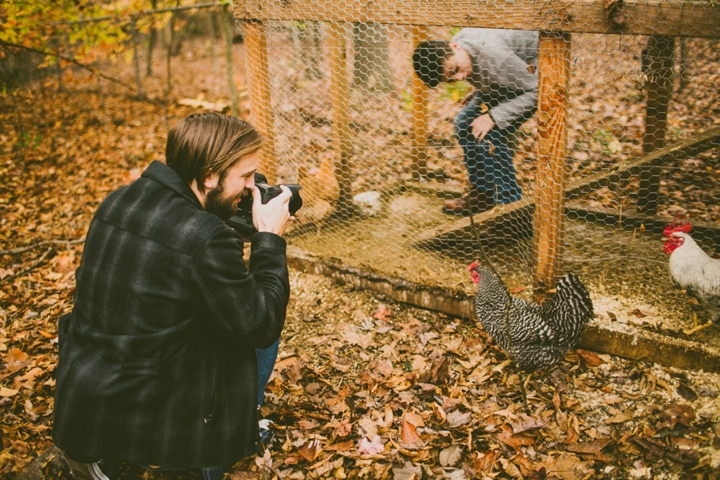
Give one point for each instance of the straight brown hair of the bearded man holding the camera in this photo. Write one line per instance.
(205, 143)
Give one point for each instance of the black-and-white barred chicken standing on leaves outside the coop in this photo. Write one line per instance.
(541, 335)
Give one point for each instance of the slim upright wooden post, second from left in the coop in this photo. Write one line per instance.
(340, 89)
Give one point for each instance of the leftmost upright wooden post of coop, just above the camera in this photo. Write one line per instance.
(256, 61)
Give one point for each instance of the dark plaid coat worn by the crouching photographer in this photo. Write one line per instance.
(157, 359)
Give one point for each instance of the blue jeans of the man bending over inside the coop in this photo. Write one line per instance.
(489, 163)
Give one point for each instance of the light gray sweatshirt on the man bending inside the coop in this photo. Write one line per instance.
(500, 70)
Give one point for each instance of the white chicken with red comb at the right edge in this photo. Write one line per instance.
(692, 269)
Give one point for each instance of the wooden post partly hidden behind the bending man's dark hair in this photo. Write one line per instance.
(420, 114)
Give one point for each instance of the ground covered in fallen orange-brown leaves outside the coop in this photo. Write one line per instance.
(364, 387)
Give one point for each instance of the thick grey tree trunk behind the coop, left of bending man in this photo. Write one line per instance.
(372, 60)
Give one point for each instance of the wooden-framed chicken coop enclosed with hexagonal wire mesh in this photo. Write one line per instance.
(622, 140)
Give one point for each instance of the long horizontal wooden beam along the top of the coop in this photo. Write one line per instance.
(642, 17)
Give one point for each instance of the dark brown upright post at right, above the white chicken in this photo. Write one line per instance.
(659, 71)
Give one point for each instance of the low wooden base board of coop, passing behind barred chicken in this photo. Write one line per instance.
(638, 345)
